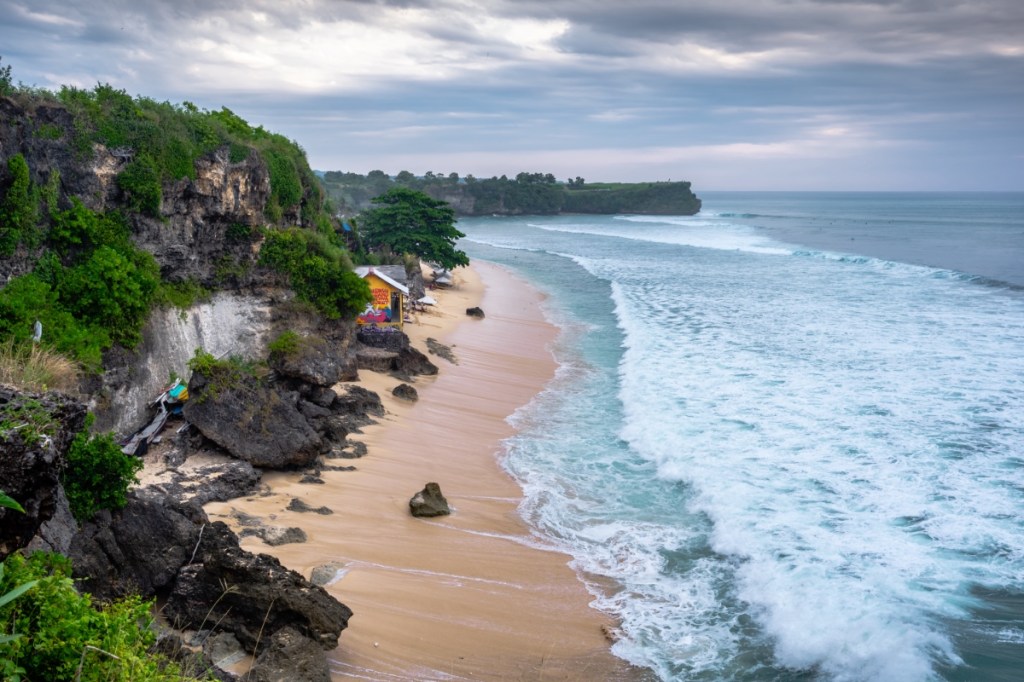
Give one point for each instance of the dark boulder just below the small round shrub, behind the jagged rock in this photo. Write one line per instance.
(137, 550)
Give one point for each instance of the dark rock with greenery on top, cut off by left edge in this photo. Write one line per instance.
(35, 434)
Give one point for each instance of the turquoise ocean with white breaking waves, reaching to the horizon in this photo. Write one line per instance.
(786, 440)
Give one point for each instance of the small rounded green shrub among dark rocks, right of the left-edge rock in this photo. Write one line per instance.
(99, 475)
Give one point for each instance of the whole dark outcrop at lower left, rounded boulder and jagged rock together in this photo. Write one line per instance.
(158, 547)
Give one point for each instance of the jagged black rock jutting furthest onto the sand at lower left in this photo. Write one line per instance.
(244, 593)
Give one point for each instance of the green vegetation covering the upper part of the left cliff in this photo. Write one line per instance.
(69, 244)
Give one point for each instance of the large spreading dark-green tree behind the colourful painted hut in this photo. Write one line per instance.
(409, 222)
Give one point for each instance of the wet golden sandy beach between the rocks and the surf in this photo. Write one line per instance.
(472, 596)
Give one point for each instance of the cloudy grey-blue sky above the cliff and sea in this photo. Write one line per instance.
(731, 95)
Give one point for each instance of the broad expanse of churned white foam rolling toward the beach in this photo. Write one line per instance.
(806, 445)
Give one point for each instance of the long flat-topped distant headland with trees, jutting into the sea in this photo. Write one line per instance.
(527, 194)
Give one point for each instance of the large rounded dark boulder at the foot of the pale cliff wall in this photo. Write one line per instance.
(253, 422)
